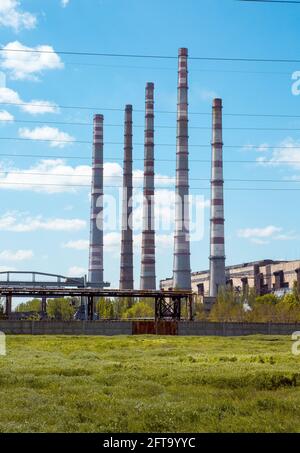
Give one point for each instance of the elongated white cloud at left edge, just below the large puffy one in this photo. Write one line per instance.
(10, 96)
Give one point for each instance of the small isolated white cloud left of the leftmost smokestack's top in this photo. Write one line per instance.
(57, 138)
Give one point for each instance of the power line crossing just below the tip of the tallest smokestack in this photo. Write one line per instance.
(146, 56)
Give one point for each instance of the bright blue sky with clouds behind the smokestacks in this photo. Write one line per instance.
(47, 228)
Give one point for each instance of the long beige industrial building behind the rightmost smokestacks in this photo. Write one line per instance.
(265, 276)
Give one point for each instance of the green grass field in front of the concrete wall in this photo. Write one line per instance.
(149, 384)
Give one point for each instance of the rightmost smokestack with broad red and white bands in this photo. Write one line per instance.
(217, 246)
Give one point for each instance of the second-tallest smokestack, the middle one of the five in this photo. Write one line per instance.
(148, 278)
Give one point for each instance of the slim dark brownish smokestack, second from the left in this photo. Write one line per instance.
(126, 268)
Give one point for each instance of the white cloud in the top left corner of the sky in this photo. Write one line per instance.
(13, 17)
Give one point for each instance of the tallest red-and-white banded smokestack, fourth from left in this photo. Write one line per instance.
(182, 268)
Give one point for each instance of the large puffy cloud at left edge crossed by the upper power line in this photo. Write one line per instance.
(27, 63)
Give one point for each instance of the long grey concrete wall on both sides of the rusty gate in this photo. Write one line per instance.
(110, 328)
